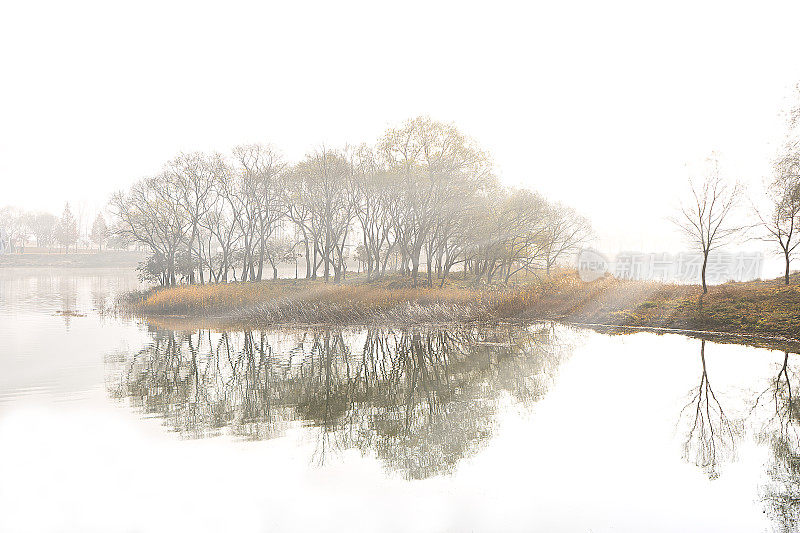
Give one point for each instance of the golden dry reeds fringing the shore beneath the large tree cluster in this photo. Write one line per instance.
(274, 302)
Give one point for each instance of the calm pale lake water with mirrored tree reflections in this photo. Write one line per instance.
(110, 424)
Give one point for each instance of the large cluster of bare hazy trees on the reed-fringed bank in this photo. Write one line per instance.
(423, 194)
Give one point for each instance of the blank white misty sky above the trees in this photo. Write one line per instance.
(597, 104)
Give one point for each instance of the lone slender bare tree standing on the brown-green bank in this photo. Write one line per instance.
(704, 219)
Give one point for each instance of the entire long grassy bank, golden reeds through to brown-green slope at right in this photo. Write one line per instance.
(766, 307)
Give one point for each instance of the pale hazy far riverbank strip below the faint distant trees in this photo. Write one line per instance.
(81, 259)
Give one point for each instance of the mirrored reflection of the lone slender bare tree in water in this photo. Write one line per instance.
(711, 435)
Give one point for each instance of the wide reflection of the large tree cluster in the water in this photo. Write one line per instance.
(420, 399)
